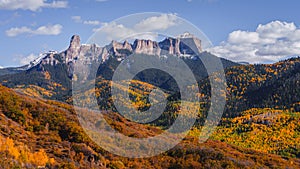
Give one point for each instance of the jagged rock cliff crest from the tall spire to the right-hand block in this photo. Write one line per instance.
(180, 46)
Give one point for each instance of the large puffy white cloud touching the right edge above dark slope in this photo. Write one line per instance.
(269, 43)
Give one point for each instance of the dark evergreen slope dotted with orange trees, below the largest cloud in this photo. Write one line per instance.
(259, 86)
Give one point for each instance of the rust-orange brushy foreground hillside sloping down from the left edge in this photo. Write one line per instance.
(48, 129)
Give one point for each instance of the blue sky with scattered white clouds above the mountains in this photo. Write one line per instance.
(253, 31)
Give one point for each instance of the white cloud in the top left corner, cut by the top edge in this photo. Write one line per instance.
(33, 5)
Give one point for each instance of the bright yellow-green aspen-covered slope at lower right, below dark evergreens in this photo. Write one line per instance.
(267, 130)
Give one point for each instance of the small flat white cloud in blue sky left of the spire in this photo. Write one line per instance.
(42, 30)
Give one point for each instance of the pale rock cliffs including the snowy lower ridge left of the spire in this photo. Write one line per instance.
(87, 54)
